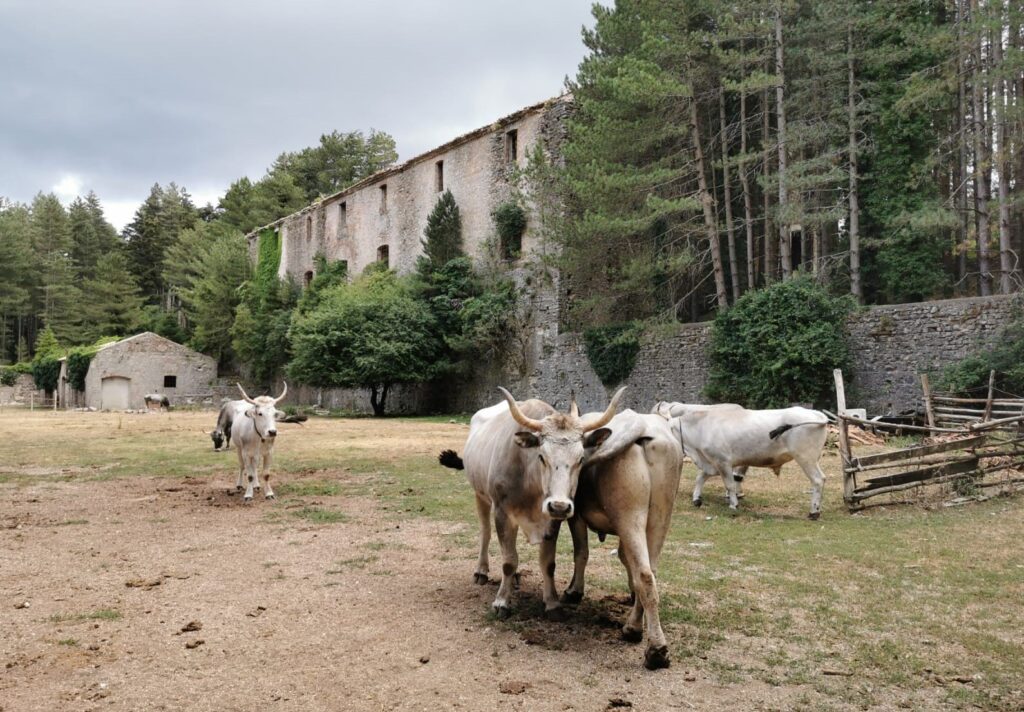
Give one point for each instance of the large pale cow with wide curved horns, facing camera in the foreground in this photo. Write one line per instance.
(524, 462)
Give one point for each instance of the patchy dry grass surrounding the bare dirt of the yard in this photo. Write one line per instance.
(898, 607)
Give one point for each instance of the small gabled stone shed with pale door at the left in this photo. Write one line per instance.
(122, 373)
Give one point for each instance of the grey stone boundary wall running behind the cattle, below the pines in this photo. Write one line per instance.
(891, 347)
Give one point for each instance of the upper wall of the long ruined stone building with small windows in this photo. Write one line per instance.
(382, 218)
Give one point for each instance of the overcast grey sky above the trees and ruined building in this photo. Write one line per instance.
(115, 96)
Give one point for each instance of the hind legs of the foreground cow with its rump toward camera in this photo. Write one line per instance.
(637, 557)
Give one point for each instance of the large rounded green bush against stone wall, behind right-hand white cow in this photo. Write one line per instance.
(780, 346)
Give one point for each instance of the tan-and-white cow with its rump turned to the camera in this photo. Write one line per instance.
(628, 489)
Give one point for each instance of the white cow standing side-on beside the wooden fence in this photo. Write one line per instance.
(727, 439)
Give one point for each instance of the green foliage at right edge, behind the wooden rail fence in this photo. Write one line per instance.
(1006, 357)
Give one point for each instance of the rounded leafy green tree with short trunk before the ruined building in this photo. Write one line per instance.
(370, 334)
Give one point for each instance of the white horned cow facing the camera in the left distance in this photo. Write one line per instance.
(254, 433)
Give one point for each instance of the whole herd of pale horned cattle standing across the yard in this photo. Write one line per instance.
(534, 468)
